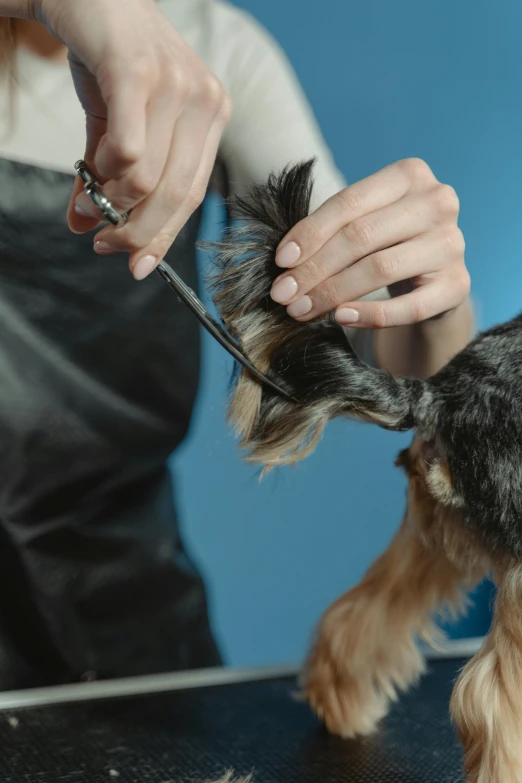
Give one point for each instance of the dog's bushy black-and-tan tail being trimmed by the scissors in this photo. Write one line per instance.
(314, 362)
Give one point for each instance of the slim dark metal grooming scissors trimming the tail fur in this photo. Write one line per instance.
(174, 281)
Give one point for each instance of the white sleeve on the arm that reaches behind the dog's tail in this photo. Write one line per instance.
(272, 122)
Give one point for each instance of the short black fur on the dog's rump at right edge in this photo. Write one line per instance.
(478, 424)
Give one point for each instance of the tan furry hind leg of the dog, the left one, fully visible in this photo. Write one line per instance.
(365, 651)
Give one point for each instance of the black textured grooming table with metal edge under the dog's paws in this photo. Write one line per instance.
(192, 727)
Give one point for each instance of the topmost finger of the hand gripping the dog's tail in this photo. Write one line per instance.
(368, 195)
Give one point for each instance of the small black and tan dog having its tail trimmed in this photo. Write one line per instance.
(464, 513)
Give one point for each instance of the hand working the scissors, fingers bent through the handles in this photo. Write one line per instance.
(155, 116)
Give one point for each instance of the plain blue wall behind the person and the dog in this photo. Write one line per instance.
(439, 80)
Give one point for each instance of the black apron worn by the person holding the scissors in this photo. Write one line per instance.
(98, 377)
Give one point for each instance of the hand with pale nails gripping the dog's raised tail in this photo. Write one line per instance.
(397, 225)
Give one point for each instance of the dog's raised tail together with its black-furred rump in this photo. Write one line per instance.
(471, 411)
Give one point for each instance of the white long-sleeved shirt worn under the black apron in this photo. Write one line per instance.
(272, 123)
